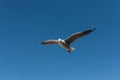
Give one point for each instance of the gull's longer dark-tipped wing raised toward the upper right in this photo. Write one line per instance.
(78, 35)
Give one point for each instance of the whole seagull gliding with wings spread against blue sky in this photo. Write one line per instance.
(65, 43)
